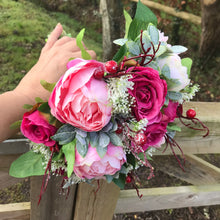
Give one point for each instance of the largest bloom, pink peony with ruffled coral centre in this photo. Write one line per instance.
(79, 99)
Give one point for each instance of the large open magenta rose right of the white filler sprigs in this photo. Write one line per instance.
(149, 92)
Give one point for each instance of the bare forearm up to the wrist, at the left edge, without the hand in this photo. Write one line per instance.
(11, 111)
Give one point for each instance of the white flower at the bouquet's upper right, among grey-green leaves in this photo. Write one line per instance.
(177, 71)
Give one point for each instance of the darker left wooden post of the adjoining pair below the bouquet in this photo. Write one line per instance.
(55, 204)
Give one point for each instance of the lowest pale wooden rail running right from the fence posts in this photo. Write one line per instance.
(167, 198)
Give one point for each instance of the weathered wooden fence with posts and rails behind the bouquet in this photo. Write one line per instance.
(204, 177)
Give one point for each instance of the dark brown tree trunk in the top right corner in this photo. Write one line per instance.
(210, 40)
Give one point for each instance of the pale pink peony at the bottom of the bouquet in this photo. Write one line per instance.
(92, 166)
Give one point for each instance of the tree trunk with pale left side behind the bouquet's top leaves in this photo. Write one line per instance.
(112, 20)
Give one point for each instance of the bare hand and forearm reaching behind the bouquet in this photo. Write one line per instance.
(50, 67)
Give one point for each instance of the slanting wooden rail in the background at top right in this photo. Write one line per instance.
(184, 15)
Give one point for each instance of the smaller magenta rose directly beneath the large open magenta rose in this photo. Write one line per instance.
(155, 135)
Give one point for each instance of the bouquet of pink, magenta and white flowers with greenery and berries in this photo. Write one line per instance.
(104, 120)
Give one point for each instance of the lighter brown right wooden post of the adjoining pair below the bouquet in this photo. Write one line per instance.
(95, 202)
